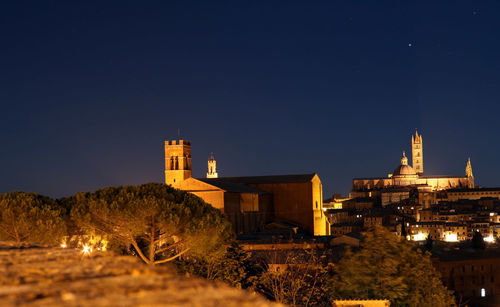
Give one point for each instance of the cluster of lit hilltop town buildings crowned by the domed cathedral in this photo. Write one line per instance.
(443, 208)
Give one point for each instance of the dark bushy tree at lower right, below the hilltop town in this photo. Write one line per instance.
(387, 267)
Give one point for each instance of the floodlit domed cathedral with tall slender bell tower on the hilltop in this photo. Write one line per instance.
(397, 186)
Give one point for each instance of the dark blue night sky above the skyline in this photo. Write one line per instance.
(90, 90)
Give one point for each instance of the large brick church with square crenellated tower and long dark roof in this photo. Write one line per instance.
(251, 202)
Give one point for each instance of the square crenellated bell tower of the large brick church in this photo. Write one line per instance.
(177, 161)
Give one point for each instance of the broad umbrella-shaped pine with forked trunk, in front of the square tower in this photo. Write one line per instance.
(159, 222)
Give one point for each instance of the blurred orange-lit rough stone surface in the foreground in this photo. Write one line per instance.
(50, 276)
